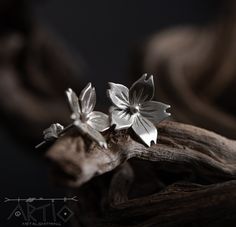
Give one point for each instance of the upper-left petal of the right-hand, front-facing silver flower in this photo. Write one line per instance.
(119, 95)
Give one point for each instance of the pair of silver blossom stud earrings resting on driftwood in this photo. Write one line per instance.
(132, 108)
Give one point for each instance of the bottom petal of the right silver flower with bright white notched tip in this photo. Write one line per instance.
(145, 130)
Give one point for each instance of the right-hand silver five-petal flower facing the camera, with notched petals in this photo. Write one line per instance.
(134, 108)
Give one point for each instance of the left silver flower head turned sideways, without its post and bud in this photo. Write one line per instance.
(89, 122)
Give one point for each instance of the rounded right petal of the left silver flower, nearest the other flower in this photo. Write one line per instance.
(99, 121)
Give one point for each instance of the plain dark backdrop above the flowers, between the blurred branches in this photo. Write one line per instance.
(104, 33)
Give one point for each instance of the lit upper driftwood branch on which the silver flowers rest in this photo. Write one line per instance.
(180, 148)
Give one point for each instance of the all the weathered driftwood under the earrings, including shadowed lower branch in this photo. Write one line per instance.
(188, 178)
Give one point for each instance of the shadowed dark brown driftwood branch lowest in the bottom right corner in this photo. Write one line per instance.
(178, 205)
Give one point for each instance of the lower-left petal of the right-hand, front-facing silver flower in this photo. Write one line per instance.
(121, 118)
